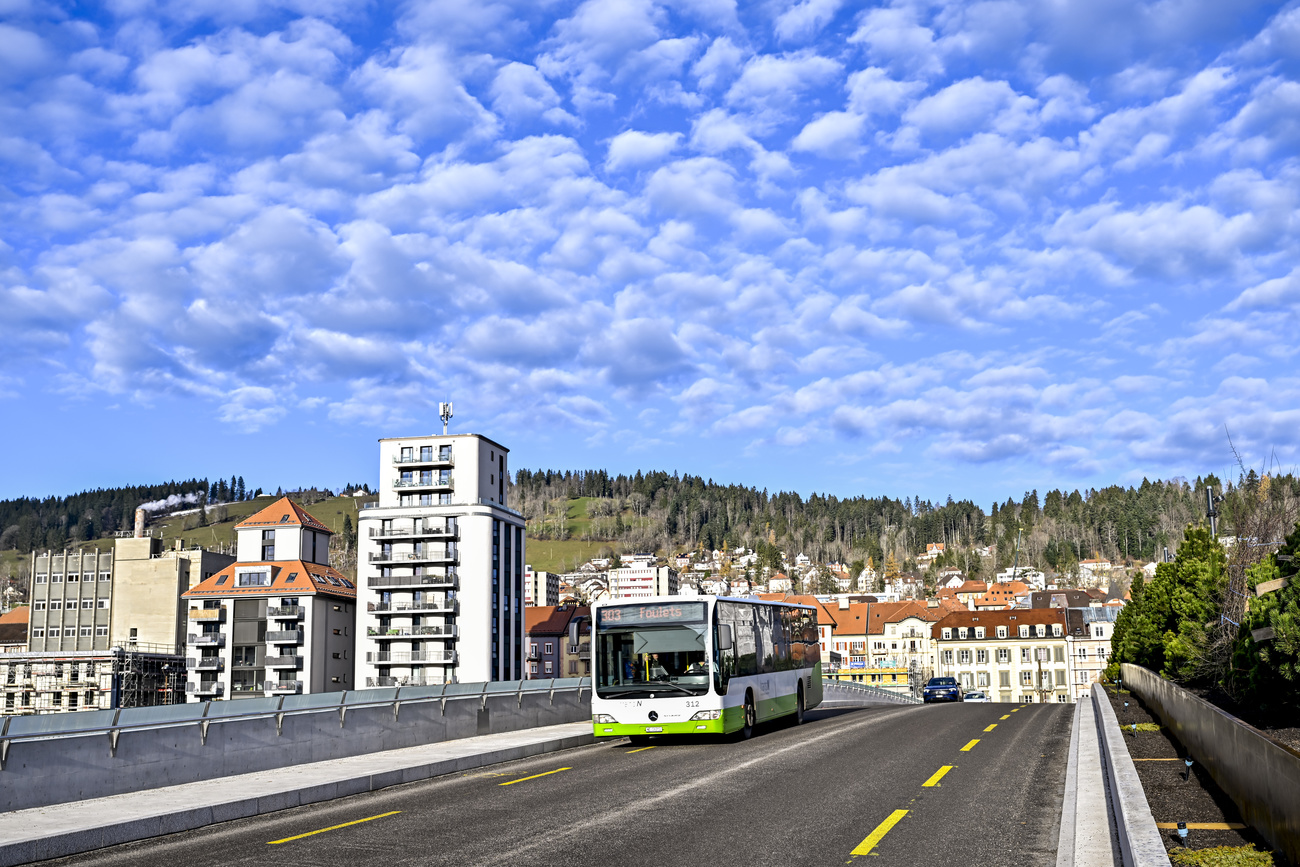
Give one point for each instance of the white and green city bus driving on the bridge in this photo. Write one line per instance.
(701, 666)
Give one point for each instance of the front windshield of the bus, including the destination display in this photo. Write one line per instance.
(652, 649)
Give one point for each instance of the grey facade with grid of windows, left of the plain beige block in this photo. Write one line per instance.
(71, 601)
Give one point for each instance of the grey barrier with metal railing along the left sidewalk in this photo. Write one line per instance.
(73, 757)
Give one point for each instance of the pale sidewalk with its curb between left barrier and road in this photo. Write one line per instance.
(83, 826)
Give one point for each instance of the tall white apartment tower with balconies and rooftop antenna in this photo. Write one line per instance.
(441, 561)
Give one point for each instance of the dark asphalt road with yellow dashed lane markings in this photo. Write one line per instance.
(811, 795)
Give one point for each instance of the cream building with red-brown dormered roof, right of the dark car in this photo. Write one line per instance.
(1020, 656)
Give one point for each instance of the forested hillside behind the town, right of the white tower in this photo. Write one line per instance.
(658, 511)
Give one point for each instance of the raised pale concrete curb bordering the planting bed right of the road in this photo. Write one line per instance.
(1141, 844)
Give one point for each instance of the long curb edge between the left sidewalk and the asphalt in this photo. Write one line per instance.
(71, 843)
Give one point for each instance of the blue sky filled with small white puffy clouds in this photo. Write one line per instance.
(912, 249)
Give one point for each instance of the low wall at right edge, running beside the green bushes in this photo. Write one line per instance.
(1262, 775)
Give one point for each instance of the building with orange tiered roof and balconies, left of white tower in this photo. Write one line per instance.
(279, 621)
